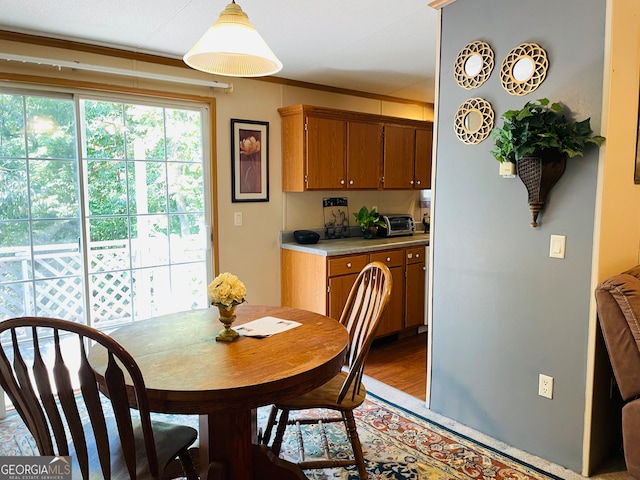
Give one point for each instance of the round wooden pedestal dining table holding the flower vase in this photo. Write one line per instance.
(187, 371)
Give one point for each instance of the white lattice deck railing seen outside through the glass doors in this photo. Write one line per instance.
(59, 271)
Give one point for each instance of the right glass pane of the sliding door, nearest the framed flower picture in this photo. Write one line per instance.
(145, 202)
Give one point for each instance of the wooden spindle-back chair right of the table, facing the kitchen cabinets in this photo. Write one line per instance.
(361, 315)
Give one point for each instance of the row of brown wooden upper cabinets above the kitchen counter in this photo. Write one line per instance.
(329, 149)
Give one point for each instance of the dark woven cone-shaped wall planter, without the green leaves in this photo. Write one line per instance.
(539, 174)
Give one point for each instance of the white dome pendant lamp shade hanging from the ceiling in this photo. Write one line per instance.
(233, 47)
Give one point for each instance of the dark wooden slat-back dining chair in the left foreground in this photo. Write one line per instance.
(45, 371)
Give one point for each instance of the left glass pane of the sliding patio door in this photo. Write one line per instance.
(41, 269)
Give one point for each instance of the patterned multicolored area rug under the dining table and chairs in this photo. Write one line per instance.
(397, 445)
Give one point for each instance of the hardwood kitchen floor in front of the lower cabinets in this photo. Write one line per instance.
(400, 363)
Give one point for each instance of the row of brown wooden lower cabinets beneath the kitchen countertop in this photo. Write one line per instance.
(322, 284)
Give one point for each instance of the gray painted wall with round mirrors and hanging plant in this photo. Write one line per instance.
(503, 311)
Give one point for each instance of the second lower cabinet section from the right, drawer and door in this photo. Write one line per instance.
(392, 320)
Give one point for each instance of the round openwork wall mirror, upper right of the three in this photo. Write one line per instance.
(524, 69)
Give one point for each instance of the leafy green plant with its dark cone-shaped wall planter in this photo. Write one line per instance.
(538, 139)
